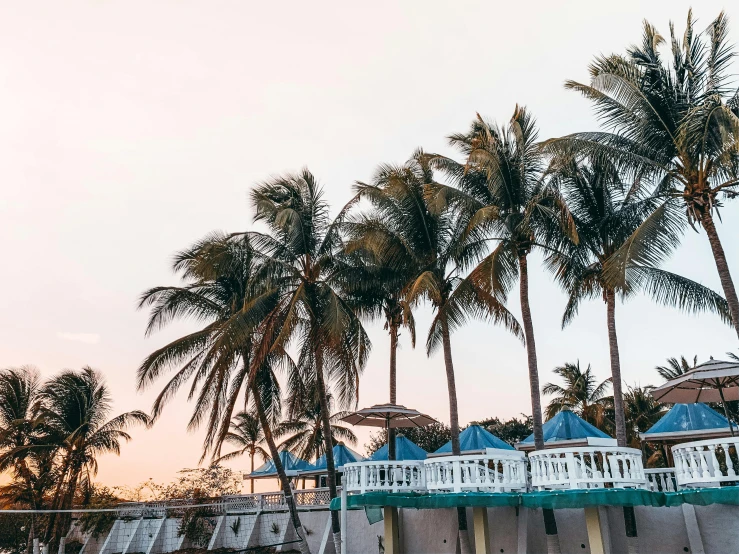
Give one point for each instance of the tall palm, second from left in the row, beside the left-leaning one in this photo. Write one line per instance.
(301, 259)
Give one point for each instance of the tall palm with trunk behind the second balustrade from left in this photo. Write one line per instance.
(404, 227)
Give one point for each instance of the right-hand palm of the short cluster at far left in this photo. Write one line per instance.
(75, 408)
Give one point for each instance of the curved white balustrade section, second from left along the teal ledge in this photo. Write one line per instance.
(494, 471)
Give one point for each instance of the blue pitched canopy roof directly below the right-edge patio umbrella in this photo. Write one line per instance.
(688, 420)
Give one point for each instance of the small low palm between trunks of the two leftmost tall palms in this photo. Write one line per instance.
(304, 425)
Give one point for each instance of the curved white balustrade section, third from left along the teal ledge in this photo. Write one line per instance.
(587, 467)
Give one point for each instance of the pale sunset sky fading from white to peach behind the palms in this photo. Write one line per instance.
(131, 129)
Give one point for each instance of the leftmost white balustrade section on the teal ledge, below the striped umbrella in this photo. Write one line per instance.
(393, 476)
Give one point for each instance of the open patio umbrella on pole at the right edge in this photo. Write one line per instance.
(712, 381)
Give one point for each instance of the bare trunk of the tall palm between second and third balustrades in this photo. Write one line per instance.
(550, 523)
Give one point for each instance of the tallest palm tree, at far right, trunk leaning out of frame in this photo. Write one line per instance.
(673, 123)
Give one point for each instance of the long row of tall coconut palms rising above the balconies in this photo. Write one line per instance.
(604, 208)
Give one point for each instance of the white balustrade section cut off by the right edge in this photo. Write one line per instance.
(706, 463)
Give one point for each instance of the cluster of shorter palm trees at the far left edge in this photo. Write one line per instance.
(51, 434)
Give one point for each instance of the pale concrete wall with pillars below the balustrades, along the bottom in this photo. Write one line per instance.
(715, 530)
